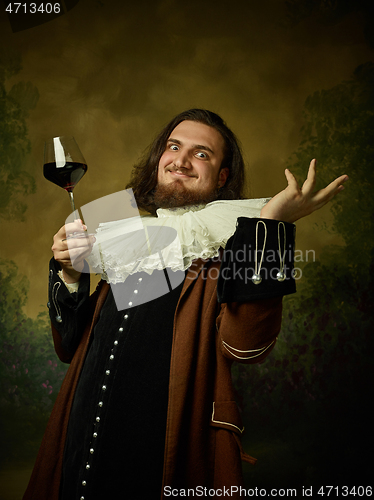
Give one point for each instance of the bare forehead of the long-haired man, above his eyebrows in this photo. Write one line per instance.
(192, 133)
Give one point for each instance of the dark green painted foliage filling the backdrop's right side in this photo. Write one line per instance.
(317, 379)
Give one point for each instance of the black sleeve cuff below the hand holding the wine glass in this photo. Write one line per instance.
(68, 311)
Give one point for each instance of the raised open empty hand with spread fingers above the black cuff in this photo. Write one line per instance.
(294, 202)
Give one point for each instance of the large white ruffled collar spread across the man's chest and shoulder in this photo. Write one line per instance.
(173, 239)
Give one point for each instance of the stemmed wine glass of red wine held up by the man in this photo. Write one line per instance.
(64, 165)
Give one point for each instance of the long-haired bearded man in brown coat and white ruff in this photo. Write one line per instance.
(147, 407)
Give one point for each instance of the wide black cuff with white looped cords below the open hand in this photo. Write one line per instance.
(257, 261)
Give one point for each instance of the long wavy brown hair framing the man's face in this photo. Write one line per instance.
(144, 174)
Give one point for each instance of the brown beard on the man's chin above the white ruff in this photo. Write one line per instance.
(176, 195)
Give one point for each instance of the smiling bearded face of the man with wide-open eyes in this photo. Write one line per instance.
(189, 170)
